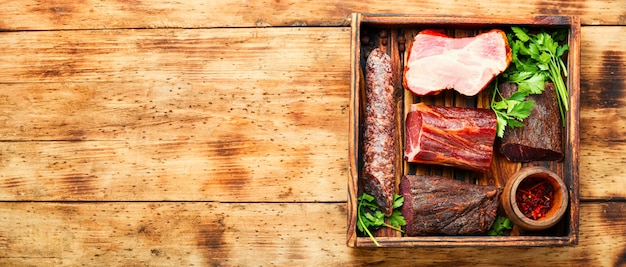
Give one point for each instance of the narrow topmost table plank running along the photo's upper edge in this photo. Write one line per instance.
(93, 14)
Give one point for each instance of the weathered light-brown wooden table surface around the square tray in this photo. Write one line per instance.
(180, 133)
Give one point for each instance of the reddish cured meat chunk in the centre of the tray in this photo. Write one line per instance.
(451, 136)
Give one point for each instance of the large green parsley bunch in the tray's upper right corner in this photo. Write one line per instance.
(536, 57)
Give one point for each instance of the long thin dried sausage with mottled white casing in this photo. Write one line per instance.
(380, 131)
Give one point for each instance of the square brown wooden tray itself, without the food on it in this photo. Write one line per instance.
(367, 27)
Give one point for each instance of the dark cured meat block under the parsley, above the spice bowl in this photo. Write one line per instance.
(540, 138)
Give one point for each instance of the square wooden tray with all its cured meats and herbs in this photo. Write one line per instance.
(436, 134)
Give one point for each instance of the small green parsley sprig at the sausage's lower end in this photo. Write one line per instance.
(369, 216)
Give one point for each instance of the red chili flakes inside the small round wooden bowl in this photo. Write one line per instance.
(534, 197)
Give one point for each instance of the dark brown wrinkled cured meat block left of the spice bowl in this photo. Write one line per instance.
(438, 205)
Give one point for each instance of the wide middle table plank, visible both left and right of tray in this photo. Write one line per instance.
(272, 111)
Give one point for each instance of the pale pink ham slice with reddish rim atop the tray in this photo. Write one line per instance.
(437, 62)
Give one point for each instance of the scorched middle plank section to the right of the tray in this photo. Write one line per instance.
(603, 112)
